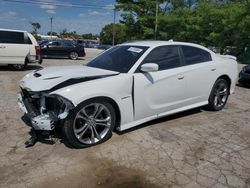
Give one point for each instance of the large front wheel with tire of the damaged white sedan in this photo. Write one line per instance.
(91, 123)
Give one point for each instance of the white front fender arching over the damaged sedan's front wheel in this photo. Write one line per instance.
(117, 88)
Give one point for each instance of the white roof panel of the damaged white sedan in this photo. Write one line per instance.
(155, 43)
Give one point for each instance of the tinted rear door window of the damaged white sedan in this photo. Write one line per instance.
(195, 55)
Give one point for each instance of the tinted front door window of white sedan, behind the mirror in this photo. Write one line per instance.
(167, 57)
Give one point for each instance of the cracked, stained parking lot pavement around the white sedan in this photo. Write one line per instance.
(197, 148)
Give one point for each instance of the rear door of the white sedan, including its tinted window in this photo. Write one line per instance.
(200, 73)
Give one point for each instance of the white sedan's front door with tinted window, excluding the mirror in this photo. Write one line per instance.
(161, 91)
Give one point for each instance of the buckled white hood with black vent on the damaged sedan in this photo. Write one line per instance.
(49, 77)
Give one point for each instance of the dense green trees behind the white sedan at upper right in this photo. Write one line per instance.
(218, 23)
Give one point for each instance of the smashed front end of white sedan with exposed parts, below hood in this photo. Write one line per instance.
(42, 110)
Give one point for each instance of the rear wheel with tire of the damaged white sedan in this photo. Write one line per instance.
(219, 95)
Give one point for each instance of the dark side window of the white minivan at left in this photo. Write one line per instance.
(11, 37)
